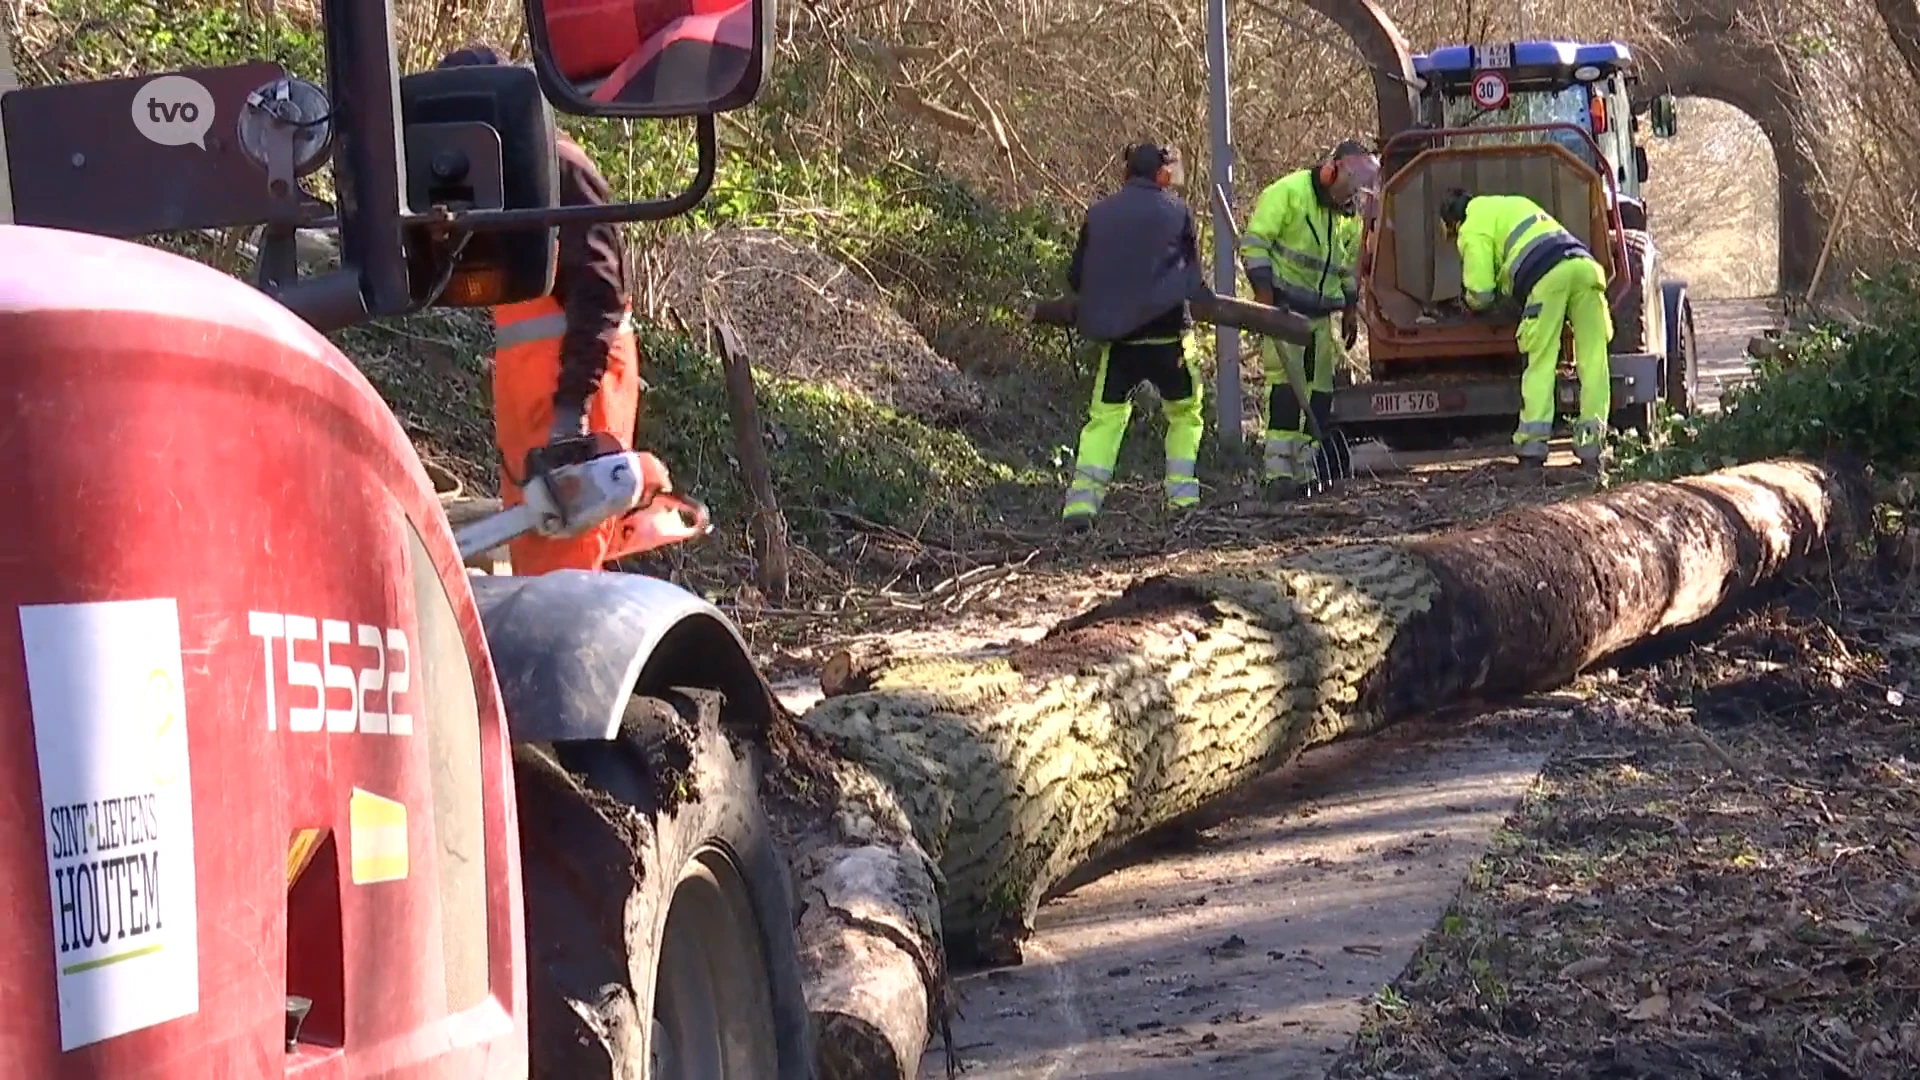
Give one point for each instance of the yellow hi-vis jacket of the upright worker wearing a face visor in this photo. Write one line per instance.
(1307, 245)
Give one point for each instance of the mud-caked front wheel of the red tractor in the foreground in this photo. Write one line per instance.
(660, 948)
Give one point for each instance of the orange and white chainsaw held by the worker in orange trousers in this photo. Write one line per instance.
(575, 485)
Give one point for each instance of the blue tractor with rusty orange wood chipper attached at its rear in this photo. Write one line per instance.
(1554, 122)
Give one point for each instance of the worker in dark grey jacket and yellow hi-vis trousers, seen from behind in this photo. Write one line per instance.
(1136, 268)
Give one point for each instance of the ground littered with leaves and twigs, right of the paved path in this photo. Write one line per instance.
(1717, 877)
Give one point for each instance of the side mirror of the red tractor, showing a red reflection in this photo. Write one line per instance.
(652, 59)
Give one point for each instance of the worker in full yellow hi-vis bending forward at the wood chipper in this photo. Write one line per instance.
(1512, 247)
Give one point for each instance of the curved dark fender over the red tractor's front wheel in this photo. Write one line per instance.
(571, 647)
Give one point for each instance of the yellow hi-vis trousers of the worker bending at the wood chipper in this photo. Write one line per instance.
(1572, 293)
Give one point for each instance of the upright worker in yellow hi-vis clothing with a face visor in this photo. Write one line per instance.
(1299, 251)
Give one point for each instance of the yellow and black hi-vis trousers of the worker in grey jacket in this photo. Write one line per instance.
(1170, 366)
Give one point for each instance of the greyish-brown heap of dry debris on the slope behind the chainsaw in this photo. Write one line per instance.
(807, 316)
